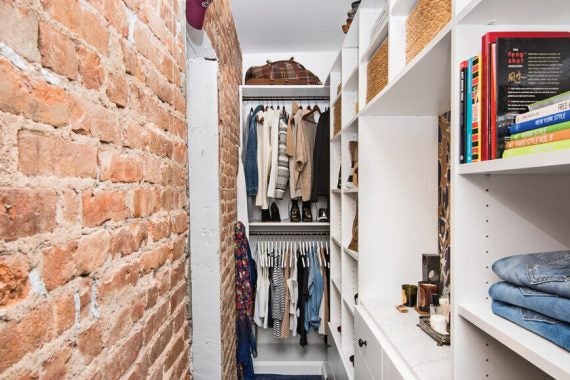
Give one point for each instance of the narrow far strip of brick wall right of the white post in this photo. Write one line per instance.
(221, 29)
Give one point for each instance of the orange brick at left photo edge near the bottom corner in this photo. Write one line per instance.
(25, 335)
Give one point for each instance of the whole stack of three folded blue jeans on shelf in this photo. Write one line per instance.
(535, 294)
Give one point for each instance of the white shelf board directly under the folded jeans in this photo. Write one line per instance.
(547, 356)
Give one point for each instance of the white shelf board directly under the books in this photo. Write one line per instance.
(557, 162)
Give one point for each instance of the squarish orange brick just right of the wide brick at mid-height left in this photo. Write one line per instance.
(119, 168)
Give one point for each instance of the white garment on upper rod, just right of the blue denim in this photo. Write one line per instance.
(264, 156)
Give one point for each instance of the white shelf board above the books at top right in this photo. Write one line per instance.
(515, 12)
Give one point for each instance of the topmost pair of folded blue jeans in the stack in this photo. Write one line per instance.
(548, 272)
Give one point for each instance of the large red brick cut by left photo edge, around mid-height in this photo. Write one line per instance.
(26, 212)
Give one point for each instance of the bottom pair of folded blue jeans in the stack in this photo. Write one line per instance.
(555, 331)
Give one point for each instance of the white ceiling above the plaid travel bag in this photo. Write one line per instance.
(289, 25)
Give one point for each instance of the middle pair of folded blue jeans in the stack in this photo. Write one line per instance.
(548, 304)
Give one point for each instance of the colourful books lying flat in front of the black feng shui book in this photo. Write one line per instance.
(546, 127)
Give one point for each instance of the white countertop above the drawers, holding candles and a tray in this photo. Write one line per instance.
(406, 343)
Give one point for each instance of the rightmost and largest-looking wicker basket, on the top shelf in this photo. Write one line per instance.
(424, 22)
